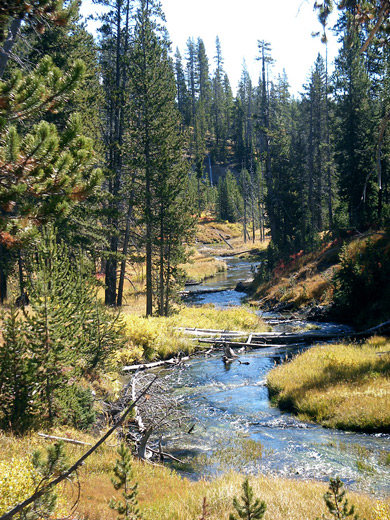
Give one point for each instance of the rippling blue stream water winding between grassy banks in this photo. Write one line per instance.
(236, 426)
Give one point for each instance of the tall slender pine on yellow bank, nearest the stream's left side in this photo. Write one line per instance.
(157, 152)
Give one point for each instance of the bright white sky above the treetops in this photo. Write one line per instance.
(239, 24)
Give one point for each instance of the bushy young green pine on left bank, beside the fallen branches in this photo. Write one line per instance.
(67, 331)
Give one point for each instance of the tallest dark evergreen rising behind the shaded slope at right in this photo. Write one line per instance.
(354, 149)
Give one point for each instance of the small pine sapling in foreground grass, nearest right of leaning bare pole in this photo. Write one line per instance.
(123, 476)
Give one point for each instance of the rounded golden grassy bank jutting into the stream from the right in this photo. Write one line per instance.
(338, 386)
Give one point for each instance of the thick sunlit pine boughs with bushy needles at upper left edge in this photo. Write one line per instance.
(43, 171)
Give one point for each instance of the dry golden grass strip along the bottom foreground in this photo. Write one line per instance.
(163, 495)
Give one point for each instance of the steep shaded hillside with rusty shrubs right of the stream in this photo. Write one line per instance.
(346, 279)
